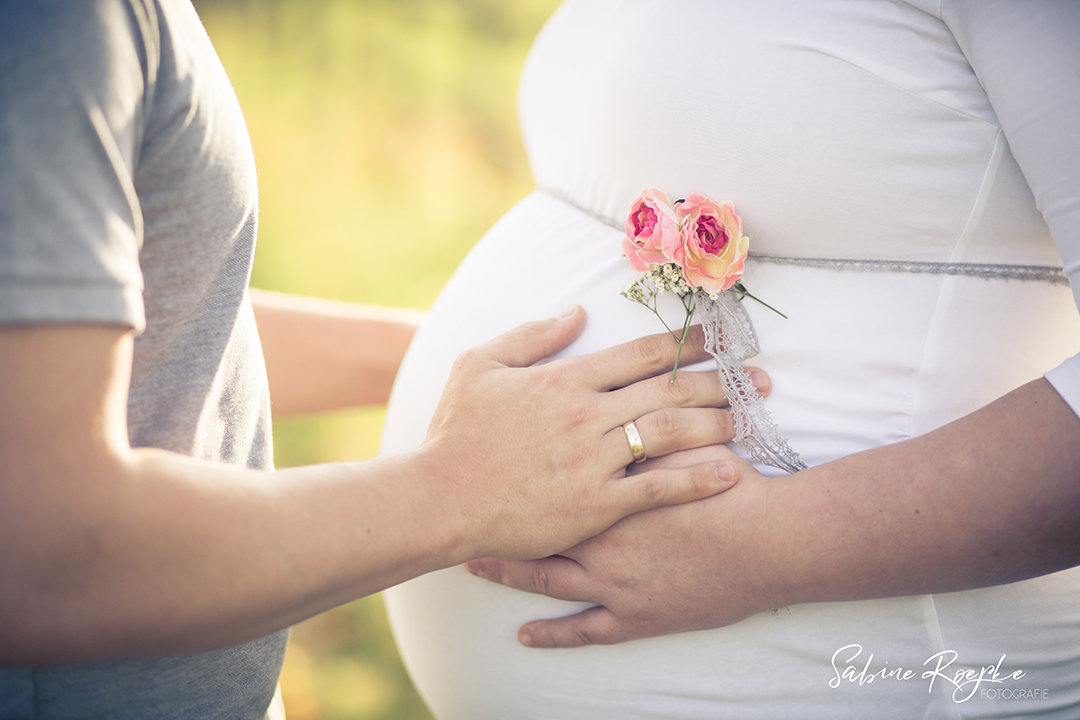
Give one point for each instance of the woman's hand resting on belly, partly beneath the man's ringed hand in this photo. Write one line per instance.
(653, 574)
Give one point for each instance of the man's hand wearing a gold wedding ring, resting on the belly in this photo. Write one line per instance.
(533, 457)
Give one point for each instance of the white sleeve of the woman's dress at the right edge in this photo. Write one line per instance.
(1027, 56)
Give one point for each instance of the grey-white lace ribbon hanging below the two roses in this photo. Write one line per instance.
(731, 339)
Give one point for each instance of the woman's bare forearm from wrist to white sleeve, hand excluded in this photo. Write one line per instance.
(993, 498)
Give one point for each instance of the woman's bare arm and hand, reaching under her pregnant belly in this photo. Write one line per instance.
(991, 499)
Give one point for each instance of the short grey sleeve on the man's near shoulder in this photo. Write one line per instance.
(74, 81)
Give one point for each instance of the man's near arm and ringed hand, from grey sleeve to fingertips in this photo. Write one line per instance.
(110, 551)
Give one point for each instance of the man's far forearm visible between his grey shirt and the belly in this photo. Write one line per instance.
(323, 356)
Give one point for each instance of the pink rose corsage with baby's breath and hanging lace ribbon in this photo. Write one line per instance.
(695, 249)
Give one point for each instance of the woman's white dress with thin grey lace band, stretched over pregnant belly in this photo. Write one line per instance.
(841, 129)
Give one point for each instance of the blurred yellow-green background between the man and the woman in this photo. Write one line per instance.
(386, 139)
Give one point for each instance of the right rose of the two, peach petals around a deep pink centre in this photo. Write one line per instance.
(711, 248)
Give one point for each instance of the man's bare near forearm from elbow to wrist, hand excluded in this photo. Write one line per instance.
(158, 553)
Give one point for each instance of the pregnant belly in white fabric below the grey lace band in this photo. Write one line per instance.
(863, 360)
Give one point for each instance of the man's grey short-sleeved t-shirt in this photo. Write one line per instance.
(128, 196)
